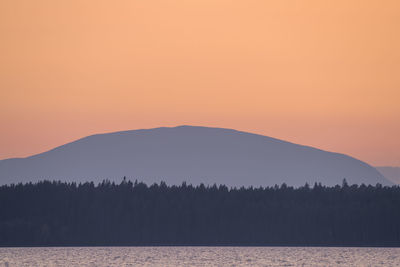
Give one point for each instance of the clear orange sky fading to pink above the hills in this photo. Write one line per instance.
(320, 73)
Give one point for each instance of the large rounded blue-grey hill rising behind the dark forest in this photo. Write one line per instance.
(192, 154)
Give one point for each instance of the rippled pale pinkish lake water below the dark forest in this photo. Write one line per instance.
(199, 256)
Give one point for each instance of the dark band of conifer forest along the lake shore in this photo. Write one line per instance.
(56, 213)
